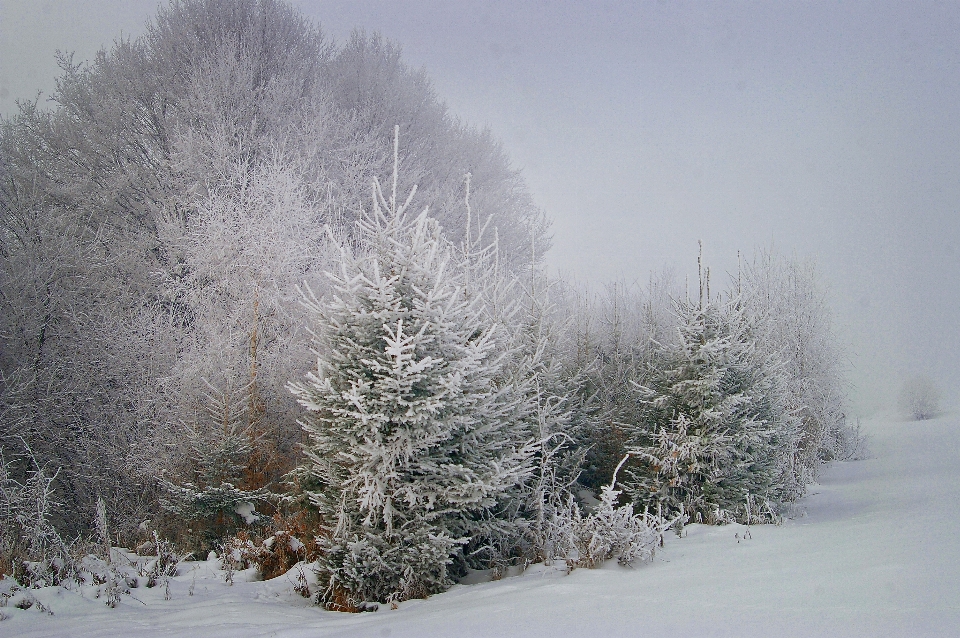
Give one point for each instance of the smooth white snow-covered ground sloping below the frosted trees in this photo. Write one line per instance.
(877, 553)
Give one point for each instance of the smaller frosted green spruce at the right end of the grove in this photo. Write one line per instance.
(717, 430)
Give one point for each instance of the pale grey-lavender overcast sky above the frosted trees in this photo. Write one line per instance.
(829, 129)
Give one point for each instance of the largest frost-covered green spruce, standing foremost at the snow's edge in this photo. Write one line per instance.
(412, 431)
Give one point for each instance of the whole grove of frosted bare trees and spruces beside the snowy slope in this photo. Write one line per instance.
(256, 283)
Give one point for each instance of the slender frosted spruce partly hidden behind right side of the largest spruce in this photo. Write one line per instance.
(533, 516)
